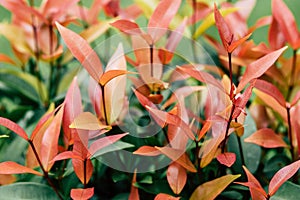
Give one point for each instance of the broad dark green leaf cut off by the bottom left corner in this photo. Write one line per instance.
(27, 190)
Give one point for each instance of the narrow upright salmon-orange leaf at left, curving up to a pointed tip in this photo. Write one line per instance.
(49, 148)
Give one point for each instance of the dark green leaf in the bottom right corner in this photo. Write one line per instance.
(288, 191)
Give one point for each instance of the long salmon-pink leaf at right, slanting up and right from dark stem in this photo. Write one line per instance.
(259, 67)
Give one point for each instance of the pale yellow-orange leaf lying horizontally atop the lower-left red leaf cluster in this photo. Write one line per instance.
(87, 121)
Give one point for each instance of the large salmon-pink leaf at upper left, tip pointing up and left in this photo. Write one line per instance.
(82, 52)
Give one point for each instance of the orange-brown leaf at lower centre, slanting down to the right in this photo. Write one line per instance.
(179, 157)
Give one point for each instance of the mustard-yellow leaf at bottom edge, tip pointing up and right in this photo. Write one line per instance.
(211, 189)
